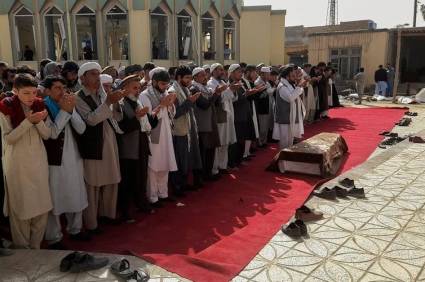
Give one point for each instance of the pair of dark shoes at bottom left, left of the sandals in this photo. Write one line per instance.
(80, 262)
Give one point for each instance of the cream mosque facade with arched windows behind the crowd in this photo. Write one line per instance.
(122, 32)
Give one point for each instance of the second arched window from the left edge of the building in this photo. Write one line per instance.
(55, 34)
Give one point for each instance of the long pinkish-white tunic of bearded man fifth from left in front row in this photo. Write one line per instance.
(162, 154)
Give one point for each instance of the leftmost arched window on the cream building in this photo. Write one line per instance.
(24, 34)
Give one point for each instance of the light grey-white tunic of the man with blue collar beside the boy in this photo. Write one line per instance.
(67, 186)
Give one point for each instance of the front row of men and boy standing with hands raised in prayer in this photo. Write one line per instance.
(129, 141)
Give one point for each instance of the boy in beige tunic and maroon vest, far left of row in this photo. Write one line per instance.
(27, 200)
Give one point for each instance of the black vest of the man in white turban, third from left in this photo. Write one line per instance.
(90, 143)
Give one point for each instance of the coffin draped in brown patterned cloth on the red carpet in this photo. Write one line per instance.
(319, 155)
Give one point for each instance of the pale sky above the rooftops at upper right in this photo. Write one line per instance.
(386, 13)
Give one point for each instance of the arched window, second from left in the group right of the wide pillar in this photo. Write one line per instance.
(184, 35)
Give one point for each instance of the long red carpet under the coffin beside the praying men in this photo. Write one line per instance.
(223, 226)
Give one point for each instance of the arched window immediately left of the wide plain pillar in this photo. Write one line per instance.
(117, 33)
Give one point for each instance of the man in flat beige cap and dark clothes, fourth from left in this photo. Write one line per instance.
(135, 122)
